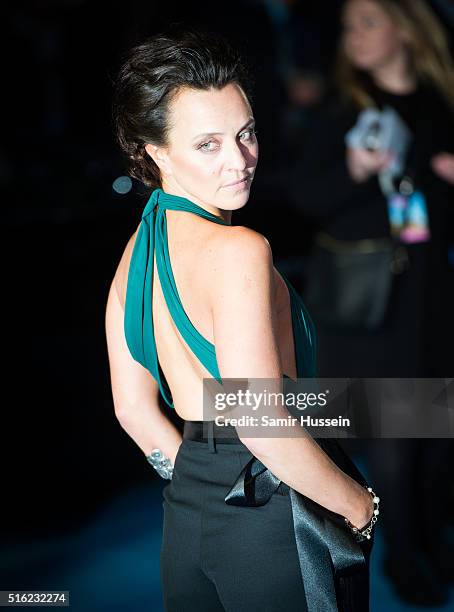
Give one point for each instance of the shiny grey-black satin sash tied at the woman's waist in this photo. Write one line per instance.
(329, 555)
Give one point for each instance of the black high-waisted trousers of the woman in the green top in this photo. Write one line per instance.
(216, 557)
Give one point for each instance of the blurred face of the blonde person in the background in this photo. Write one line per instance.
(371, 40)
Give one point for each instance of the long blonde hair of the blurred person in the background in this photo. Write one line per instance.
(427, 45)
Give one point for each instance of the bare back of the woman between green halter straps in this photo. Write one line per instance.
(192, 246)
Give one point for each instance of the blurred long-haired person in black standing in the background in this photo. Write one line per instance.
(384, 306)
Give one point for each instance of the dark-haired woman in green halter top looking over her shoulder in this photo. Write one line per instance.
(233, 534)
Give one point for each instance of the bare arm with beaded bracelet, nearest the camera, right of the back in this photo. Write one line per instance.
(242, 297)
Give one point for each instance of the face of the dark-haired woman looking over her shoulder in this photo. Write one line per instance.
(212, 149)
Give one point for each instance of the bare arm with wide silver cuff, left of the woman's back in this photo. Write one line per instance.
(135, 392)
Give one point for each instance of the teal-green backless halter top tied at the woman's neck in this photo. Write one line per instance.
(138, 317)
